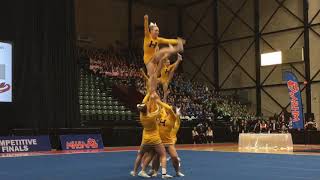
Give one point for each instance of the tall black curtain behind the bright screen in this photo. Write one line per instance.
(45, 73)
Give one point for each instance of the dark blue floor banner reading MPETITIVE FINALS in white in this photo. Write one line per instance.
(10, 144)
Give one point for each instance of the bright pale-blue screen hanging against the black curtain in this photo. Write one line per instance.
(5, 72)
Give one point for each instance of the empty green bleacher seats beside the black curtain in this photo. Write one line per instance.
(97, 103)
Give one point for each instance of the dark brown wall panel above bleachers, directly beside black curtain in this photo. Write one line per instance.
(100, 20)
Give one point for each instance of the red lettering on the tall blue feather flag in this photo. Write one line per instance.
(295, 111)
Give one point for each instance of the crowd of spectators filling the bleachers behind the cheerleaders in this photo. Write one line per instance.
(197, 101)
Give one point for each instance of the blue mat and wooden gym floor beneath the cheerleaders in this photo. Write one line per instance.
(217, 161)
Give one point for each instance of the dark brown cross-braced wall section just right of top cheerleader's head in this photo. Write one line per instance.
(198, 30)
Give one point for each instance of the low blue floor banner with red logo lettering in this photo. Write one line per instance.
(81, 142)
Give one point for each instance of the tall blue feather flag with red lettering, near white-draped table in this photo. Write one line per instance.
(295, 100)
